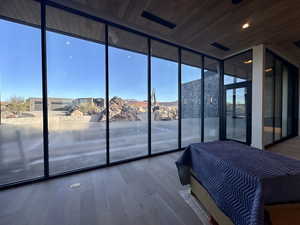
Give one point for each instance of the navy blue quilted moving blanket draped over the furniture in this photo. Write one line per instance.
(241, 179)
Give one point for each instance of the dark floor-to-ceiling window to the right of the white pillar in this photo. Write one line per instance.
(280, 99)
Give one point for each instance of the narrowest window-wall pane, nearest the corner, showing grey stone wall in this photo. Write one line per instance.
(211, 99)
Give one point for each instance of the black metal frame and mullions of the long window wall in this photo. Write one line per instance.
(48, 3)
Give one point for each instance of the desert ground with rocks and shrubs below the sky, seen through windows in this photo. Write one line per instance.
(77, 134)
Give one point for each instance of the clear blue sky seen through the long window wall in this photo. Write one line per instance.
(75, 68)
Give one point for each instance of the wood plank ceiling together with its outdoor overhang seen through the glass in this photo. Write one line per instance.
(275, 23)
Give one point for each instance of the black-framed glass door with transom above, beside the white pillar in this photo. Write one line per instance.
(237, 97)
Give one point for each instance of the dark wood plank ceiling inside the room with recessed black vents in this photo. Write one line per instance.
(202, 22)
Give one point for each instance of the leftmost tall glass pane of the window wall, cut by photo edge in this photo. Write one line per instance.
(21, 121)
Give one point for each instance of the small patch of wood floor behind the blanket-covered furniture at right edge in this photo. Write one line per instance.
(290, 148)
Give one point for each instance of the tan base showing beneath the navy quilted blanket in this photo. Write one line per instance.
(283, 214)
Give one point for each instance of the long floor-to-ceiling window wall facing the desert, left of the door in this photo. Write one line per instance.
(81, 79)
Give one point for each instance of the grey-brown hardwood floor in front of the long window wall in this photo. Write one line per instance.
(143, 192)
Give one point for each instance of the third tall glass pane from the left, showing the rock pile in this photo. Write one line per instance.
(128, 95)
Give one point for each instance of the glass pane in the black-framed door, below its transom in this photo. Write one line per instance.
(236, 120)
